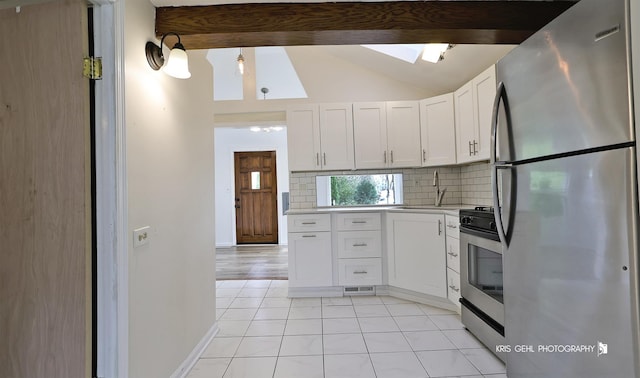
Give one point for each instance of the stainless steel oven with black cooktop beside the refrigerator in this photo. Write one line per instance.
(481, 277)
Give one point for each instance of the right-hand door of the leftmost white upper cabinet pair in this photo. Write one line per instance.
(336, 136)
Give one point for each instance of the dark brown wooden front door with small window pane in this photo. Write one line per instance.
(256, 197)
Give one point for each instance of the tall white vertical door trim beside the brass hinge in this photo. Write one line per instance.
(106, 196)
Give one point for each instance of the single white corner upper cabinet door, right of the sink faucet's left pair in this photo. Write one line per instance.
(437, 131)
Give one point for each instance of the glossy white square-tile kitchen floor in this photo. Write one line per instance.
(265, 334)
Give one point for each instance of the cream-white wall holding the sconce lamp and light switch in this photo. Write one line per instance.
(170, 164)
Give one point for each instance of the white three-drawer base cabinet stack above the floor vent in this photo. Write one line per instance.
(359, 249)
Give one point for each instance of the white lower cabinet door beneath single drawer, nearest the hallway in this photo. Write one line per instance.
(310, 259)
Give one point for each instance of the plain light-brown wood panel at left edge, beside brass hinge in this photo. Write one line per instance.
(44, 192)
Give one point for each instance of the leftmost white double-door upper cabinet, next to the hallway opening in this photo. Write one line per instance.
(320, 137)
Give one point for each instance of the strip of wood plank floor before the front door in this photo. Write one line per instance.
(252, 262)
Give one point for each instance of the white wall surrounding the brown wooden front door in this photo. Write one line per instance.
(228, 141)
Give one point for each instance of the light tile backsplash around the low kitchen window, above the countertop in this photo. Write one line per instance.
(470, 184)
